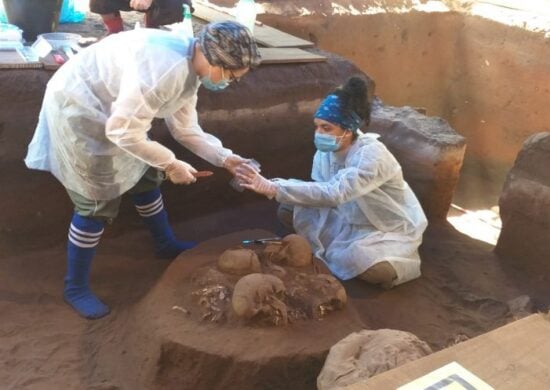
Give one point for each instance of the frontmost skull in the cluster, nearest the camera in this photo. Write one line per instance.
(259, 296)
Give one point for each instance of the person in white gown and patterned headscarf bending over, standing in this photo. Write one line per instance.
(93, 125)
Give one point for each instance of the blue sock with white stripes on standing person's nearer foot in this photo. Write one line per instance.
(84, 236)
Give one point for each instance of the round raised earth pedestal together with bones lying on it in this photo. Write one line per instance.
(187, 334)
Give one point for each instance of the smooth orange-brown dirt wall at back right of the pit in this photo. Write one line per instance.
(489, 80)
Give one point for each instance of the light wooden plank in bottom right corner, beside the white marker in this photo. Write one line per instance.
(515, 356)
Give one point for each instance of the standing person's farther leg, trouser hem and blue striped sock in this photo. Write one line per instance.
(147, 198)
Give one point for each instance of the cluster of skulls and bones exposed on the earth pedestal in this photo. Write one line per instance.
(275, 285)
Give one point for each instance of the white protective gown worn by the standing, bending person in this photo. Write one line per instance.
(98, 108)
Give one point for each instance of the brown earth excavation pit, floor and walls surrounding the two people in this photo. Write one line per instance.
(485, 79)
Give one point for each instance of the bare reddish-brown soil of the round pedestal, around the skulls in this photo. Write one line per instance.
(175, 348)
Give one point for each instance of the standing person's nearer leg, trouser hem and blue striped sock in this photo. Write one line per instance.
(85, 232)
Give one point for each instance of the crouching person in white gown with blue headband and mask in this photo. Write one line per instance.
(358, 213)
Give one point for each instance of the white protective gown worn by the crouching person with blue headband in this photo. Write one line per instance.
(358, 211)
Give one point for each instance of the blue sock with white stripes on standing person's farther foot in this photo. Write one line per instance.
(151, 208)
